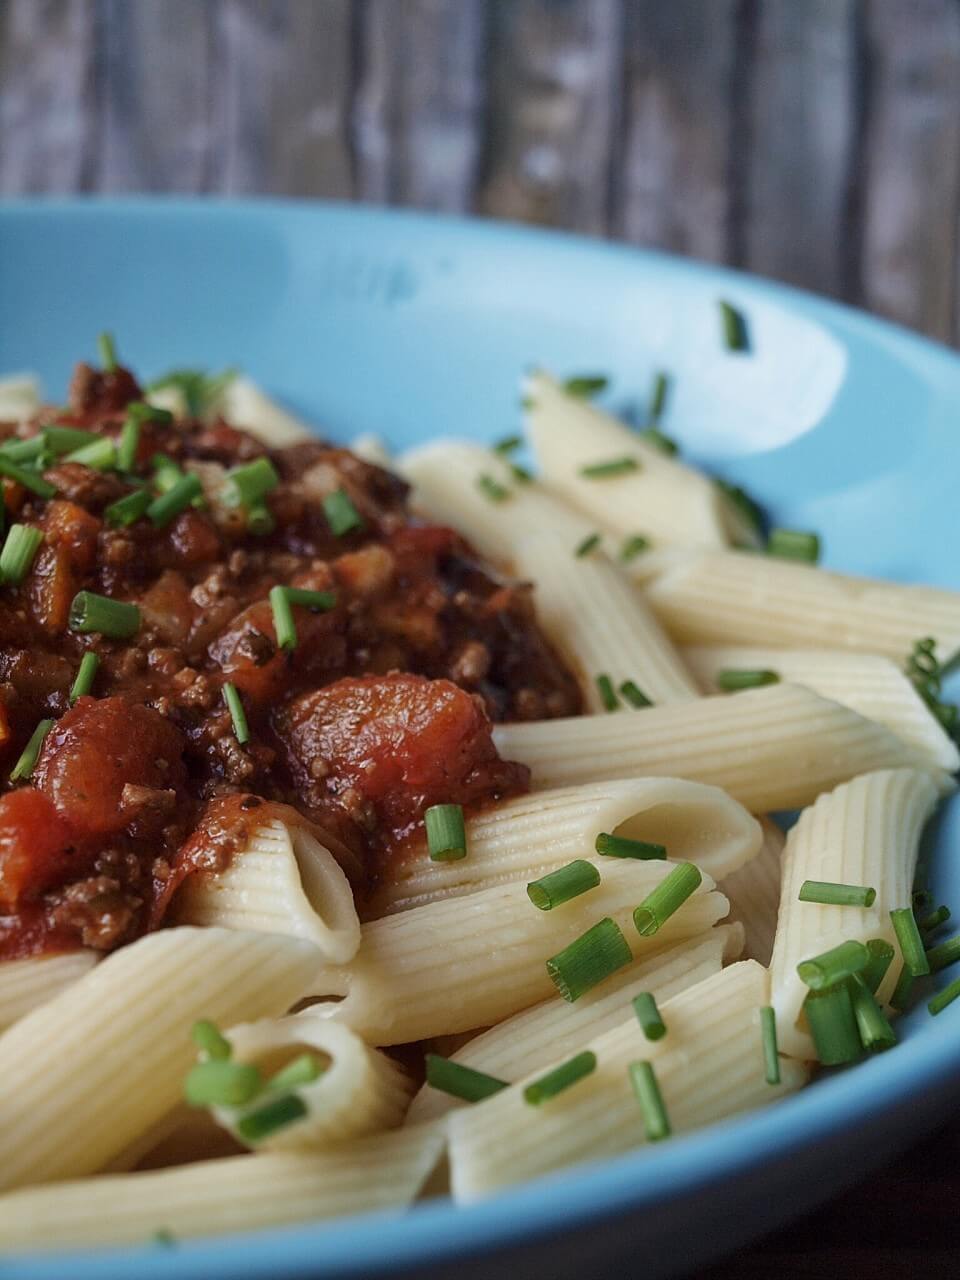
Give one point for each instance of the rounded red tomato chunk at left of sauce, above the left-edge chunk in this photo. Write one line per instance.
(97, 749)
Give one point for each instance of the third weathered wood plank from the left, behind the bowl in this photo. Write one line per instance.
(285, 70)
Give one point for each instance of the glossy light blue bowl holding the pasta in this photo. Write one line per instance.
(413, 327)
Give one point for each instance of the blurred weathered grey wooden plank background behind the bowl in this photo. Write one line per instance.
(812, 140)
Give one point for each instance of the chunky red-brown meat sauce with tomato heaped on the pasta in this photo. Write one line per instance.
(383, 707)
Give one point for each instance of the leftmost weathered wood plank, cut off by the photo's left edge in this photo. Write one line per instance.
(48, 102)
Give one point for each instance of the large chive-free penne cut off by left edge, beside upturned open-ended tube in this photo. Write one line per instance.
(115, 1046)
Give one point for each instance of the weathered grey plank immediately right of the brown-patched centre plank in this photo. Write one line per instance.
(673, 188)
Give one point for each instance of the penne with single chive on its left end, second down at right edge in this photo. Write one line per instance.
(871, 685)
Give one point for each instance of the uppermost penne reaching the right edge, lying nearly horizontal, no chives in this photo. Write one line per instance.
(728, 598)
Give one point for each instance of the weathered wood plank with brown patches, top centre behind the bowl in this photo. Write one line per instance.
(555, 88)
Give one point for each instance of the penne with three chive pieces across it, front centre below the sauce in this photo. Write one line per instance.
(472, 962)
